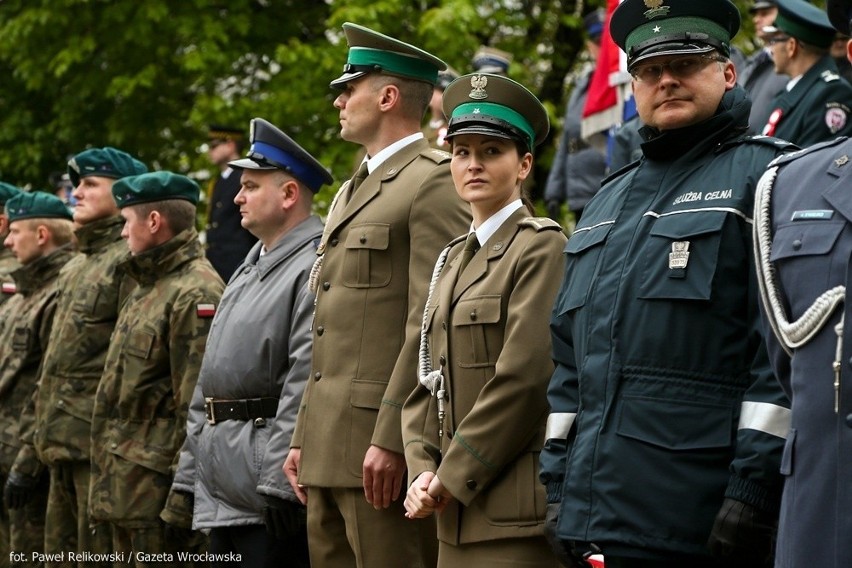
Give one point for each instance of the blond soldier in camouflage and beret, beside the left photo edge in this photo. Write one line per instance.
(41, 237)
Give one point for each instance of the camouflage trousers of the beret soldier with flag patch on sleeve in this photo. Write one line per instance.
(148, 547)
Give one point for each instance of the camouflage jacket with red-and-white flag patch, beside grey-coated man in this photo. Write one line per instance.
(139, 417)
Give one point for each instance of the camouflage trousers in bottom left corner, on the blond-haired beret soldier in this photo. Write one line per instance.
(22, 532)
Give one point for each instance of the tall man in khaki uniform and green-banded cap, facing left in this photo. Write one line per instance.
(381, 240)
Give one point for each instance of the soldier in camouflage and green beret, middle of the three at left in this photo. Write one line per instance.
(90, 294)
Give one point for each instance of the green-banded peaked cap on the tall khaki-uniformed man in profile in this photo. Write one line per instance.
(372, 52)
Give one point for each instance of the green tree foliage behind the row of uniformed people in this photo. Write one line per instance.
(149, 76)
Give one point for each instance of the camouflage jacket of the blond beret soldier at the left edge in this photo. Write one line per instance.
(24, 334)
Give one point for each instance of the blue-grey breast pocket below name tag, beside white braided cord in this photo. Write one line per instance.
(800, 249)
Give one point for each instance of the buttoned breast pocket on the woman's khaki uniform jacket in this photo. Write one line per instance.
(477, 332)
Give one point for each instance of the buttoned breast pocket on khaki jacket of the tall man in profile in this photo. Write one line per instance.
(367, 262)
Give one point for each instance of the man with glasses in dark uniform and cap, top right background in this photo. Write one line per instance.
(817, 104)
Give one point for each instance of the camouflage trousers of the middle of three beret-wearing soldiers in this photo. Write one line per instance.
(67, 523)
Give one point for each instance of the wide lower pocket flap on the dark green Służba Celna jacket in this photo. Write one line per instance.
(676, 424)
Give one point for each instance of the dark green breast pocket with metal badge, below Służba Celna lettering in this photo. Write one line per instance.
(681, 256)
